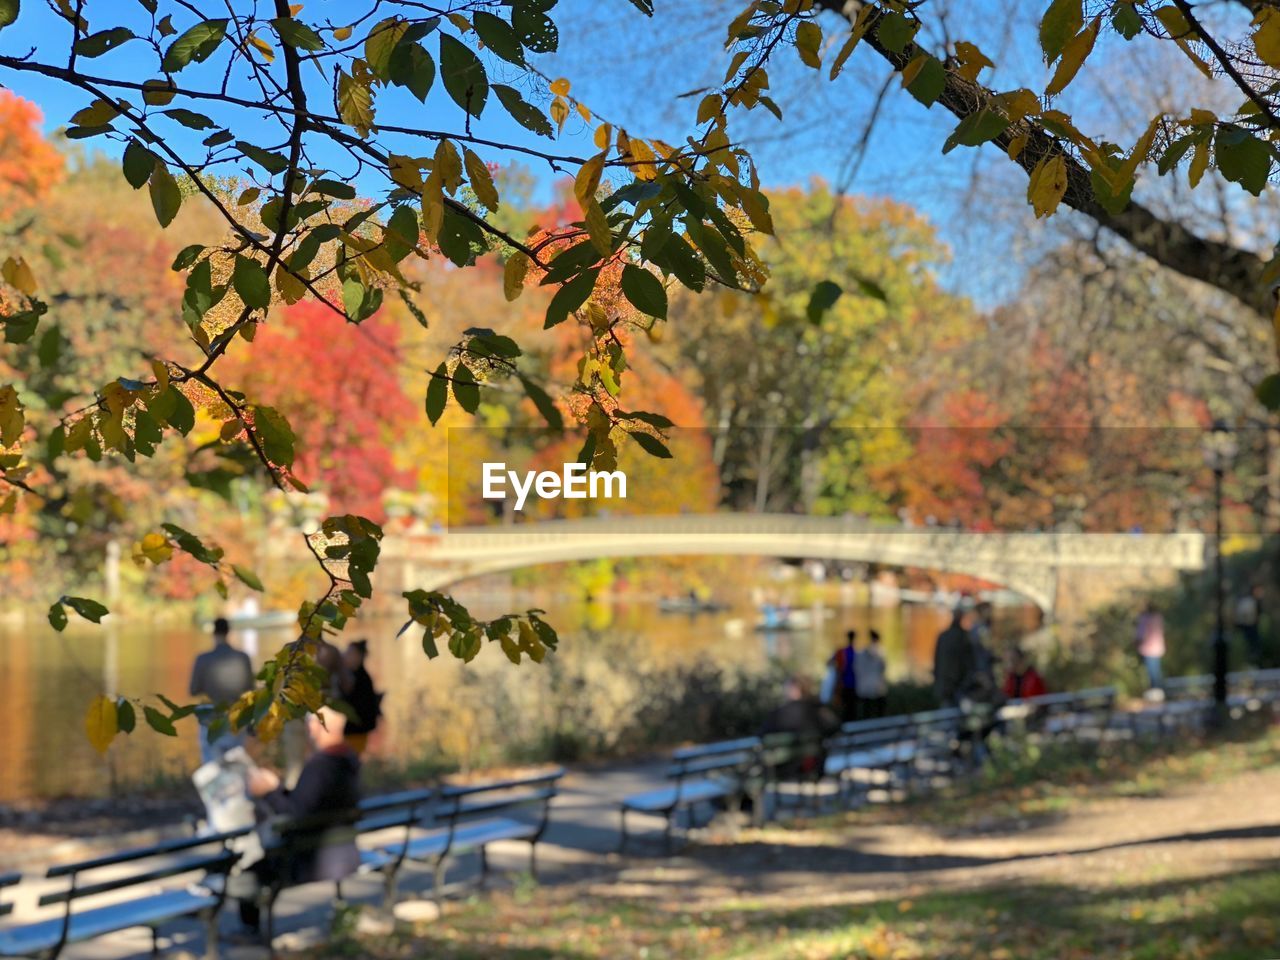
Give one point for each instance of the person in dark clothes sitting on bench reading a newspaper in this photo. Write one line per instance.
(317, 838)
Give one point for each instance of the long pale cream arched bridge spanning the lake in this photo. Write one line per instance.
(1041, 566)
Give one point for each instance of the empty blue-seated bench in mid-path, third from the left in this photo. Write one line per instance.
(700, 775)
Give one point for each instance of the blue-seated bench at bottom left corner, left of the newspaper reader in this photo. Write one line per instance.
(130, 893)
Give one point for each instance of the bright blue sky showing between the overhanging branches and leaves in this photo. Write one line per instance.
(632, 70)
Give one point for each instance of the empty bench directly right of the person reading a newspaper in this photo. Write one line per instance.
(468, 819)
